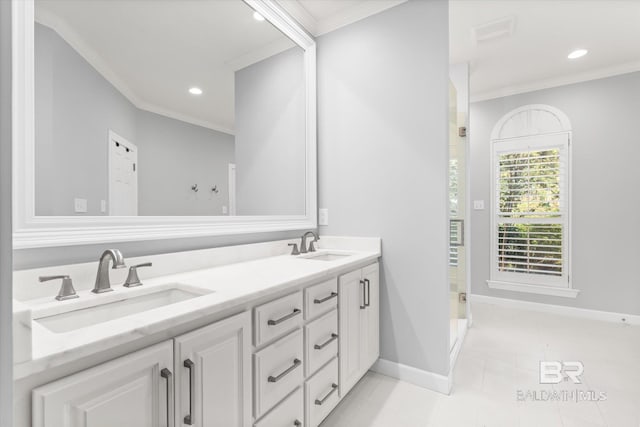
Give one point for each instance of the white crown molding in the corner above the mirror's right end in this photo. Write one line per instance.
(318, 27)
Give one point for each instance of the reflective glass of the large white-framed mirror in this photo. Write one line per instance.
(172, 108)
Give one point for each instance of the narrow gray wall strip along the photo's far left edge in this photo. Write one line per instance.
(6, 346)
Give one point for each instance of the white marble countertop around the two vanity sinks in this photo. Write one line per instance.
(224, 287)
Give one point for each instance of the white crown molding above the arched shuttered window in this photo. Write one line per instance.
(599, 73)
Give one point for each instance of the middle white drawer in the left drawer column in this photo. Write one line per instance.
(277, 371)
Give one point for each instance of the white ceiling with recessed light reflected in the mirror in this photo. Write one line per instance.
(154, 51)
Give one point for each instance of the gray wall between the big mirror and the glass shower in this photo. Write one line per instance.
(383, 161)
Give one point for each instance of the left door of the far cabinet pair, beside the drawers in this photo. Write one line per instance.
(351, 307)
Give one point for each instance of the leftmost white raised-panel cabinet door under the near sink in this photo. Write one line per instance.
(130, 391)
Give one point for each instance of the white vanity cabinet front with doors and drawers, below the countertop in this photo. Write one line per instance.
(288, 361)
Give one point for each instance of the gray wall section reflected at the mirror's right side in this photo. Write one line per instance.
(270, 135)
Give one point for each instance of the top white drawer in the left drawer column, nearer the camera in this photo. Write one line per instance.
(276, 318)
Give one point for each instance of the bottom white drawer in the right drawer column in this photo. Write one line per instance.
(321, 394)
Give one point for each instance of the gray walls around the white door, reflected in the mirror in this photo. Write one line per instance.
(76, 107)
